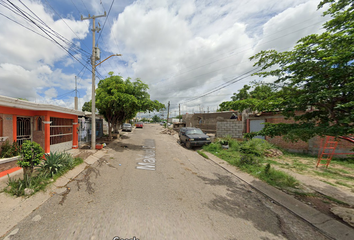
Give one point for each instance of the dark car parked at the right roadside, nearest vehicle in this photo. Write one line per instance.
(192, 137)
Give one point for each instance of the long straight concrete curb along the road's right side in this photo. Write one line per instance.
(327, 225)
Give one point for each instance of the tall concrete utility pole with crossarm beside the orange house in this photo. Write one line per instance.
(93, 62)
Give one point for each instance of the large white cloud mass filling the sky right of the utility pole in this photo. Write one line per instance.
(186, 48)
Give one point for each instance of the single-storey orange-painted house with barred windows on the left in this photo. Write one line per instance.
(53, 127)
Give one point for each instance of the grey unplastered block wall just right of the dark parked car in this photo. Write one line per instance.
(230, 127)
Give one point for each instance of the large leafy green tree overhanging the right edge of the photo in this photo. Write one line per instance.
(315, 79)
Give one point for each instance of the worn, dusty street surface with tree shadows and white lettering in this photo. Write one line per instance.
(147, 186)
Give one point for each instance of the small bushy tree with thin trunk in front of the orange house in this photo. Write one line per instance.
(31, 156)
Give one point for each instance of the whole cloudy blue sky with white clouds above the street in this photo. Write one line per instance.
(190, 52)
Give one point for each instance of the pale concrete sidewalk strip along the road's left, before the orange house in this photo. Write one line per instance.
(13, 209)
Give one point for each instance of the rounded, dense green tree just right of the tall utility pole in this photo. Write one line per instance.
(119, 100)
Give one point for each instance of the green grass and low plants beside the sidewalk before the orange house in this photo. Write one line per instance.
(38, 181)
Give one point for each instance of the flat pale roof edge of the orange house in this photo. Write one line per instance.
(22, 104)
